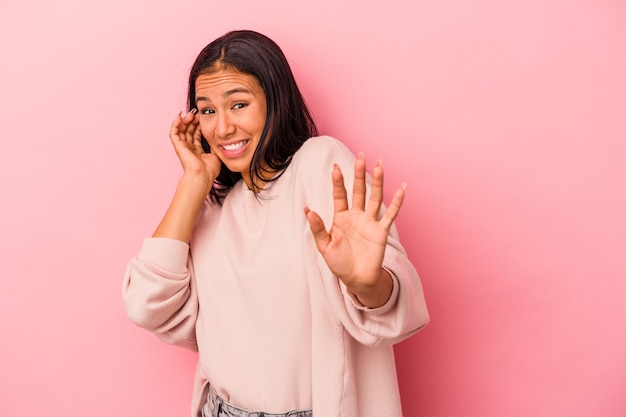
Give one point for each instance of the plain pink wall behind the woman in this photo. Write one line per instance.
(507, 119)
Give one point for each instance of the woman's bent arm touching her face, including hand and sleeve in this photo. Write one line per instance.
(159, 292)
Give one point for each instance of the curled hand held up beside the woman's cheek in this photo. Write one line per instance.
(186, 137)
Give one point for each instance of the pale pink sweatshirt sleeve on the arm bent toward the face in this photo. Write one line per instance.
(159, 291)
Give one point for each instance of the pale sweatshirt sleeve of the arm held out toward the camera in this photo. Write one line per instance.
(405, 312)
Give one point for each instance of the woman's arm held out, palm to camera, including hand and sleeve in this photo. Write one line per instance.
(371, 284)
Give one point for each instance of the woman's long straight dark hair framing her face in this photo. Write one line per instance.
(288, 123)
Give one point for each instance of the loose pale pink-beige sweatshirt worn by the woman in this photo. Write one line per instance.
(275, 330)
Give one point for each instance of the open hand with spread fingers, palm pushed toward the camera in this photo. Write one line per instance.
(354, 246)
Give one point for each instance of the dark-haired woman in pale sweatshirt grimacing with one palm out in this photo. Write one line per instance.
(287, 317)
